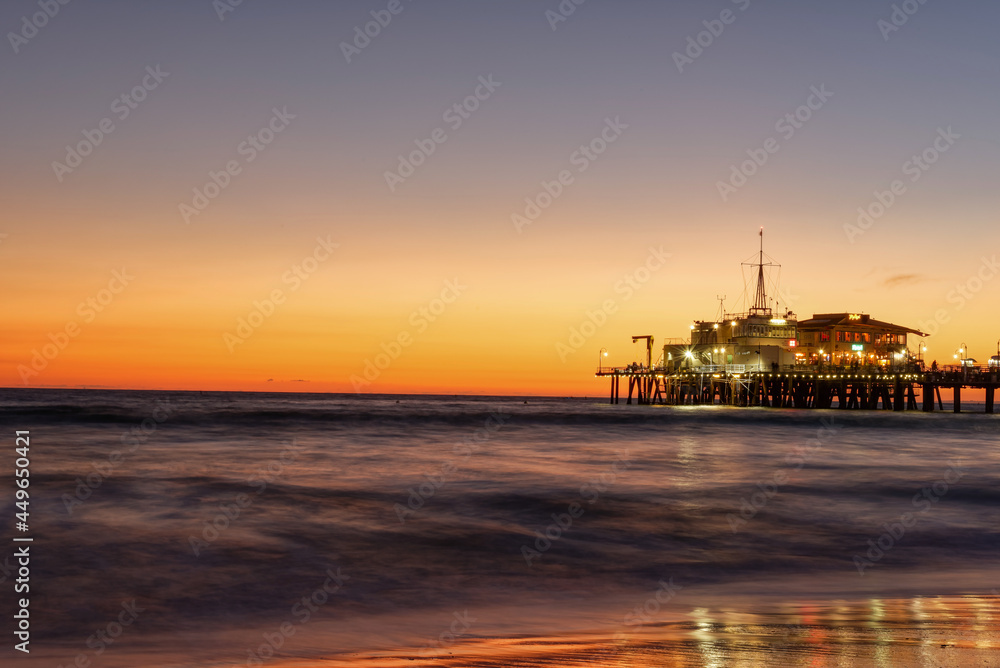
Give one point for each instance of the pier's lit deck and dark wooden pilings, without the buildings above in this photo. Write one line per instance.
(800, 388)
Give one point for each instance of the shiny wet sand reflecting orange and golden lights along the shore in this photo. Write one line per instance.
(954, 631)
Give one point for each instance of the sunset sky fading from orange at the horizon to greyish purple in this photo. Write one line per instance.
(282, 202)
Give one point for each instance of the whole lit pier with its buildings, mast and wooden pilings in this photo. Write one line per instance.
(763, 357)
